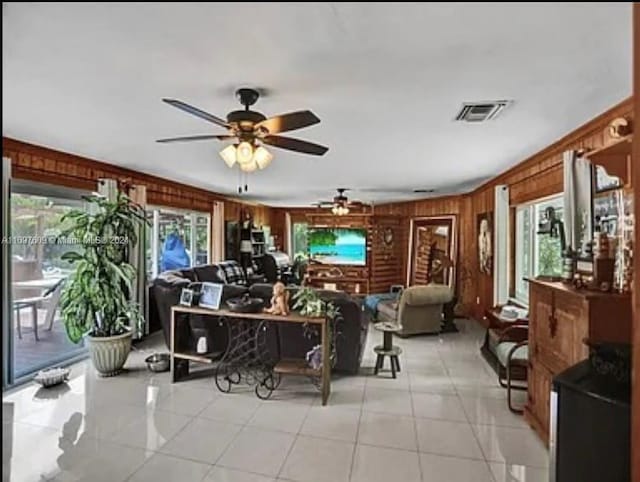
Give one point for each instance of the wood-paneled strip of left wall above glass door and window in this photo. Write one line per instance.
(41, 164)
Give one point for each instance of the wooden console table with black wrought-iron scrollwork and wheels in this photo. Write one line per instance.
(246, 357)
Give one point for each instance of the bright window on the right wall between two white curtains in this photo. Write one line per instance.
(536, 254)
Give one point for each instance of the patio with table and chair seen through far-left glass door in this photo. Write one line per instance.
(38, 275)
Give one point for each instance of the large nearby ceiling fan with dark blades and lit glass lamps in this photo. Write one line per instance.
(250, 130)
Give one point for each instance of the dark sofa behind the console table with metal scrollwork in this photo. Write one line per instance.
(165, 292)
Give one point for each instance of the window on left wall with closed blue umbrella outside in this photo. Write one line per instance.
(177, 239)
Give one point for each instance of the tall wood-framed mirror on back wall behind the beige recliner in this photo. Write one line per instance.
(432, 251)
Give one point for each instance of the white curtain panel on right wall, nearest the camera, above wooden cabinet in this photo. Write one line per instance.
(577, 211)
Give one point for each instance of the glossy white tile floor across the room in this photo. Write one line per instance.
(442, 420)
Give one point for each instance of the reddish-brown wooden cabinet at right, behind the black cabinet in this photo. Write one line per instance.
(561, 319)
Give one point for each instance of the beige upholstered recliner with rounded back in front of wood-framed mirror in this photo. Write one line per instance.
(420, 309)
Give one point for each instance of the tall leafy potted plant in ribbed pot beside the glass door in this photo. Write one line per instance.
(95, 302)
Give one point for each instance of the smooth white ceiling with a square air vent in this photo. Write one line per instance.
(386, 80)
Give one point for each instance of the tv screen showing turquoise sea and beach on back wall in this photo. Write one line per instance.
(338, 245)
